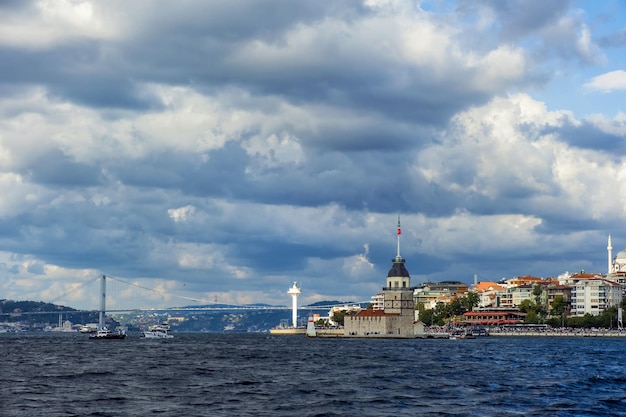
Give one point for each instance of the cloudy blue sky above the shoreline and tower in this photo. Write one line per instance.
(219, 151)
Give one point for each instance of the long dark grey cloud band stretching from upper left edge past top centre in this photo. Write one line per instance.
(189, 46)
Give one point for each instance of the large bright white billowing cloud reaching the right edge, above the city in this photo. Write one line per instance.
(511, 150)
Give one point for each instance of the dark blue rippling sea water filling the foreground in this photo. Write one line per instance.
(263, 375)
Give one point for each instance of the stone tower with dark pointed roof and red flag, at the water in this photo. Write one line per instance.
(397, 317)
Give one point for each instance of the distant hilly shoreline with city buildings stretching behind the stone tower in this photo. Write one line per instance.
(581, 299)
